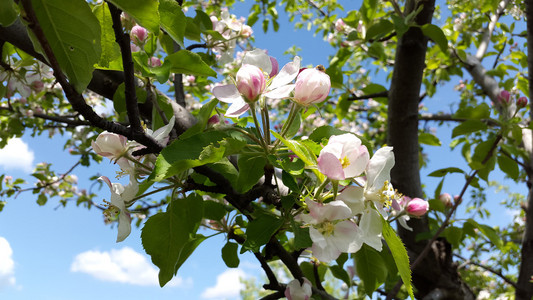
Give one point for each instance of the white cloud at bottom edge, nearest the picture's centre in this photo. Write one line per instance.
(228, 285)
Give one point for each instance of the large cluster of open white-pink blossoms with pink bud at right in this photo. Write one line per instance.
(355, 217)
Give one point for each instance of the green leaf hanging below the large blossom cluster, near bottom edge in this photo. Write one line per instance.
(371, 268)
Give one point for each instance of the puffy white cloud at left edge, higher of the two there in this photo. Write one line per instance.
(16, 155)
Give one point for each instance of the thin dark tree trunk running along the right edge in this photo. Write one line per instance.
(524, 285)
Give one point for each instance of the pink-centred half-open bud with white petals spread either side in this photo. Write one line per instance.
(250, 82)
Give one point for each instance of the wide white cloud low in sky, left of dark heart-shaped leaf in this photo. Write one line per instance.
(124, 265)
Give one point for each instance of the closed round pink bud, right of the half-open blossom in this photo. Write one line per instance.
(312, 86)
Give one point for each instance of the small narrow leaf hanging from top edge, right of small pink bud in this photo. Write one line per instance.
(173, 20)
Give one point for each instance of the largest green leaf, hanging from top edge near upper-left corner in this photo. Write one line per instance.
(73, 33)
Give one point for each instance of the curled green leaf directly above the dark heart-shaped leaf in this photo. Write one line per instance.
(197, 150)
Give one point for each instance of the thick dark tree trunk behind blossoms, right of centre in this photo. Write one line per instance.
(441, 280)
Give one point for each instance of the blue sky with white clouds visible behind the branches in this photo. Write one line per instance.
(69, 253)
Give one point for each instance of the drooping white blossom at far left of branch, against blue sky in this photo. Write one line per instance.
(120, 198)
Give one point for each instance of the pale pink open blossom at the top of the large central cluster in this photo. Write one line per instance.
(343, 157)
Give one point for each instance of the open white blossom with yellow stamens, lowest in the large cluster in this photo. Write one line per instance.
(330, 231)
